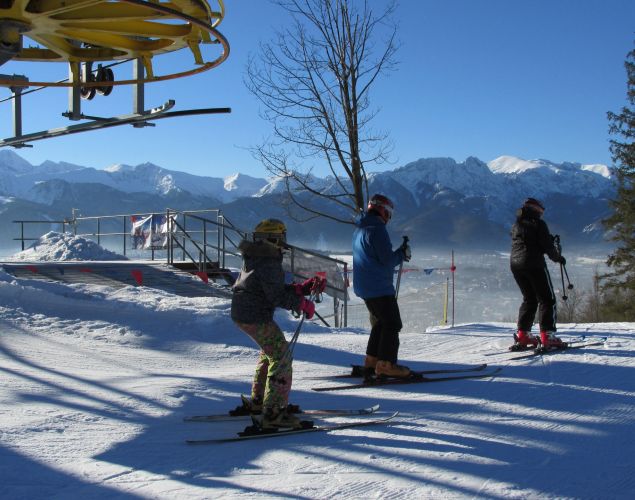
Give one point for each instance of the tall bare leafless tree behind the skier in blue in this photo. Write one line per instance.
(314, 83)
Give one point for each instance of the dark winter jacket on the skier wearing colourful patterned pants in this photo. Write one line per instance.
(261, 287)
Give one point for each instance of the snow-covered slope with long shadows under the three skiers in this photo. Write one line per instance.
(95, 382)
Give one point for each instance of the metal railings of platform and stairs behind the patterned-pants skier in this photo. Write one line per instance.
(205, 239)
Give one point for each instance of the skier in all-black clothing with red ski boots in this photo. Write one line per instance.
(531, 240)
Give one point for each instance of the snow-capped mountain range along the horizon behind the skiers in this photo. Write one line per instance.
(439, 199)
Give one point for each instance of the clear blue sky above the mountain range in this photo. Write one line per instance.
(479, 78)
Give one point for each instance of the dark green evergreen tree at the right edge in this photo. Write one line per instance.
(619, 282)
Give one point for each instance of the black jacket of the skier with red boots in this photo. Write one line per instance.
(531, 240)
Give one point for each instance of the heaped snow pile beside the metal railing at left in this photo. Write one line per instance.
(54, 246)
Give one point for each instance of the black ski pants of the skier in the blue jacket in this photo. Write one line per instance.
(385, 322)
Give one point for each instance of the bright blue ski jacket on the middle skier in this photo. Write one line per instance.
(374, 260)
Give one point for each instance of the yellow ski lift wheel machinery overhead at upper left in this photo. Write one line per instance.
(108, 33)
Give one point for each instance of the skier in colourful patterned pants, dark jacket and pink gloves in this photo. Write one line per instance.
(259, 289)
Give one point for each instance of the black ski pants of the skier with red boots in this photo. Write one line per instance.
(538, 295)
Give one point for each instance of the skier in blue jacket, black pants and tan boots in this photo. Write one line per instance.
(374, 263)
